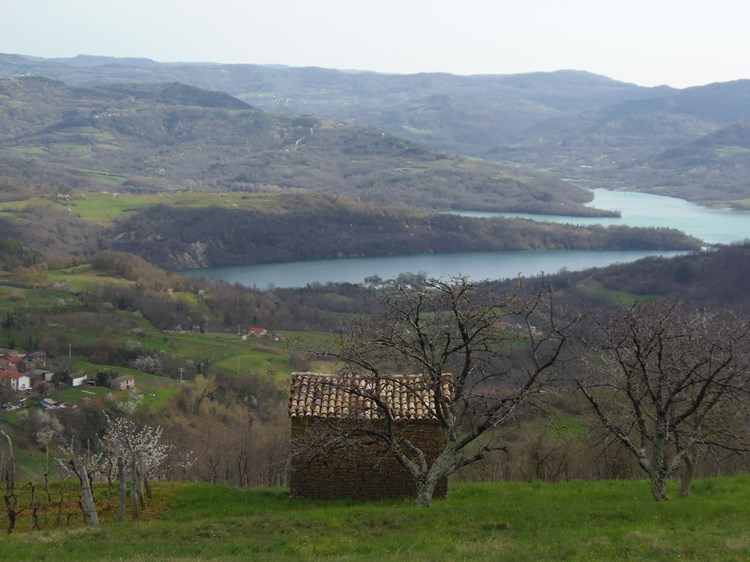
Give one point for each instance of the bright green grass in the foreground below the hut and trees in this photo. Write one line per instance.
(504, 521)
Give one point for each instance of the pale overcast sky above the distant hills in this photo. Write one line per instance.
(648, 42)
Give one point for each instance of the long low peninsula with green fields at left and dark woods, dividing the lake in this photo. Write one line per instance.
(186, 230)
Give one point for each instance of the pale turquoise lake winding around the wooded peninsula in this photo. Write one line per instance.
(637, 209)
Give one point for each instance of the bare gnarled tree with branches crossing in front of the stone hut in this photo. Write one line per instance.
(495, 352)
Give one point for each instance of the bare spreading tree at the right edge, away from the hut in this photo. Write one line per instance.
(667, 382)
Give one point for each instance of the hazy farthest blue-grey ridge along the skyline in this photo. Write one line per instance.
(463, 114)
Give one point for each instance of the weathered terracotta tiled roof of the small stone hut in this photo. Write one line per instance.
(409, 397)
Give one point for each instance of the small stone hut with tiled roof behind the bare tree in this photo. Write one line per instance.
(332, 456)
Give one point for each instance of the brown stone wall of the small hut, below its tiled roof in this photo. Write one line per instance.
(363, 469)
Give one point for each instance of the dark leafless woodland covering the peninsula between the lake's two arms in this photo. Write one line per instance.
(319, 228)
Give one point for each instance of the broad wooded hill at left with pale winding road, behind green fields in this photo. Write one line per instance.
(146, 138)
